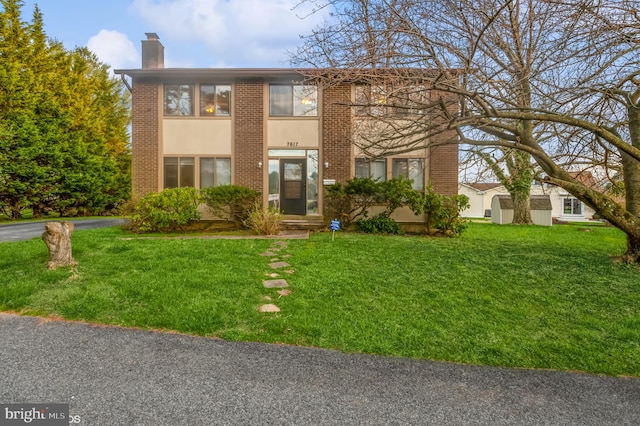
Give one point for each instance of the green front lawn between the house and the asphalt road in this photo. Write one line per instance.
(518, 296)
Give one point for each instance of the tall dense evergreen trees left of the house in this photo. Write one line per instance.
(63, 124)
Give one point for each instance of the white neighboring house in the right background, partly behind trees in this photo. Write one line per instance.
(564, 206)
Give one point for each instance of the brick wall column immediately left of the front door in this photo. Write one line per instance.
(249, 133)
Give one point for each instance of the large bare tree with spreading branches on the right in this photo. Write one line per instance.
(556, 80)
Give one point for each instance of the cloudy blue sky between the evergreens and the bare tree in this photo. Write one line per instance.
(195, 33)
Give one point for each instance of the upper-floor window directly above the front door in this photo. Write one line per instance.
(293, 101)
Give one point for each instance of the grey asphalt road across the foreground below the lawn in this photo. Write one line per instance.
(116, 376)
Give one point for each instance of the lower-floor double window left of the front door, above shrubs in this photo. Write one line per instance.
(181, 171)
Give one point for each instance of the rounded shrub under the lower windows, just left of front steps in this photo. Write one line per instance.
(230, 202)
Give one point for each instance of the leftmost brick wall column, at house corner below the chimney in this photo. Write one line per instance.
(145, 139)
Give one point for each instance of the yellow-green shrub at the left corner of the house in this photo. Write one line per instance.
(170, 209)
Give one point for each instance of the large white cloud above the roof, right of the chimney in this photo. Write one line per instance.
(233, 31)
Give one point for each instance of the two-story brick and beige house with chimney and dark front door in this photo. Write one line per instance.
(267, 129)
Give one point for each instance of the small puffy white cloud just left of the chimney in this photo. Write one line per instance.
(115, 49)
